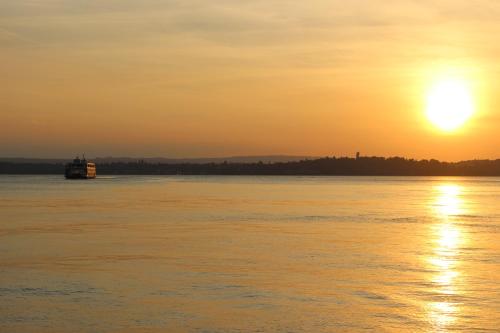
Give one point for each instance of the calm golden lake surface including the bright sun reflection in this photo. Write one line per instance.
(249, 254)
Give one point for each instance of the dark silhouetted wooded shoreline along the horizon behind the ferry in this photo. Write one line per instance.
(327, 166)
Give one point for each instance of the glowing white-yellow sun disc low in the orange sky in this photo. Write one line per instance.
(449, 104)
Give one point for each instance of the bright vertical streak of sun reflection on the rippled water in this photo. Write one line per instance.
(447, 240)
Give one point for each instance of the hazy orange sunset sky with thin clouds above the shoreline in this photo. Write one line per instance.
(197, 78)
